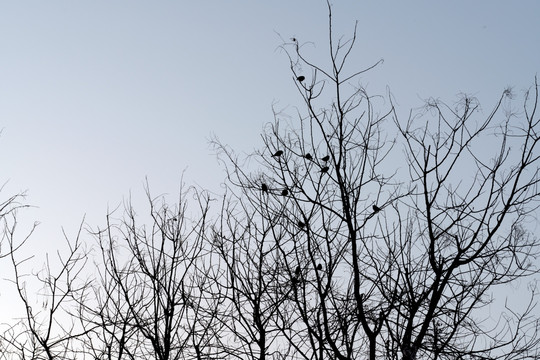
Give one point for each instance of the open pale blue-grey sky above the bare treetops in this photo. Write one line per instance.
(96, 96)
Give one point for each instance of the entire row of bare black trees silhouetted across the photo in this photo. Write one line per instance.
(352, 233)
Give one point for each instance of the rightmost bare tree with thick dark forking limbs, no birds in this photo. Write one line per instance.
(466, 231)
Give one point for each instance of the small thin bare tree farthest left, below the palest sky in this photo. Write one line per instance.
(46, 330)
